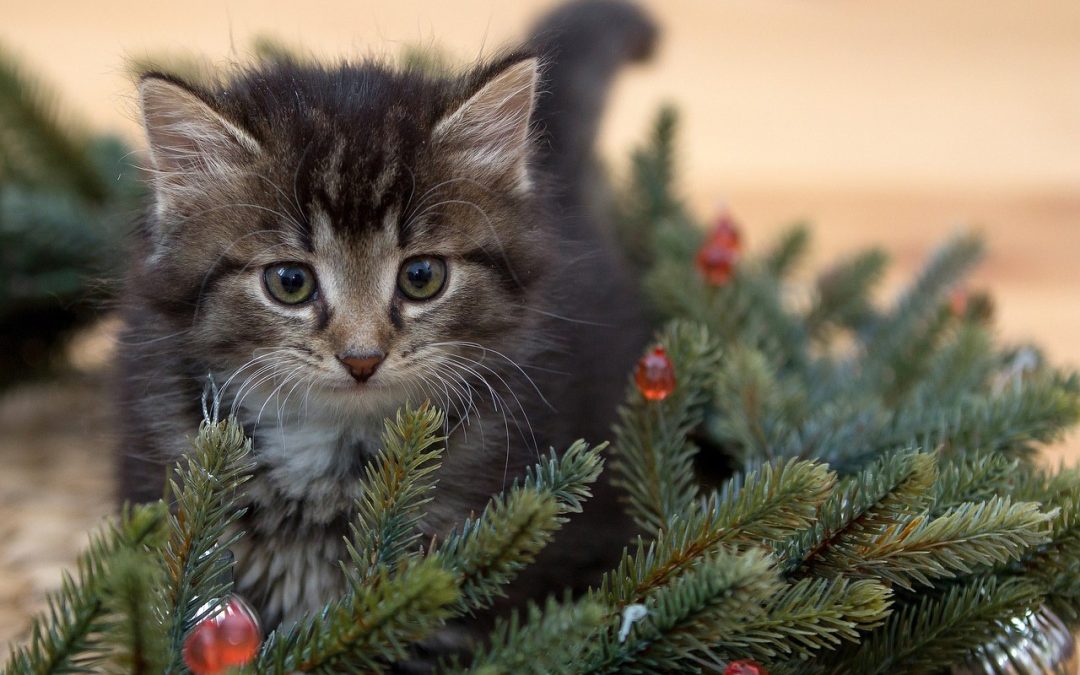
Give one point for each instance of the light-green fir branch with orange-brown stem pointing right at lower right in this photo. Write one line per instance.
(921, 550)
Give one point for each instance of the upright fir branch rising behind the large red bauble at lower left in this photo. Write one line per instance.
(197, 562)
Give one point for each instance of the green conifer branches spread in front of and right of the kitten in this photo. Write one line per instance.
(885, 514)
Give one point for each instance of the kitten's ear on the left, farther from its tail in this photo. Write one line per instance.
(188, 139)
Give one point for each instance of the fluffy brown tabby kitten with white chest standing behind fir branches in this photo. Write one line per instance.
(327, 244)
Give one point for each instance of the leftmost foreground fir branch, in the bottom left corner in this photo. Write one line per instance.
(67, 639)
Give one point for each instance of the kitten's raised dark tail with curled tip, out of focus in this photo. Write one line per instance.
(584, 45)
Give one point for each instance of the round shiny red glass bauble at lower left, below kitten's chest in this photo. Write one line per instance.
(226, 640)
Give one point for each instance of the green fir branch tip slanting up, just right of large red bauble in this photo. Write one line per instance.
(371, 627)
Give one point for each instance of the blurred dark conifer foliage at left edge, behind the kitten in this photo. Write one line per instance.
(66, 197)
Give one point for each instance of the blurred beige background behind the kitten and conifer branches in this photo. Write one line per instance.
(886, 123)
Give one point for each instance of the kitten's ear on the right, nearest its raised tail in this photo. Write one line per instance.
(491, 131)
